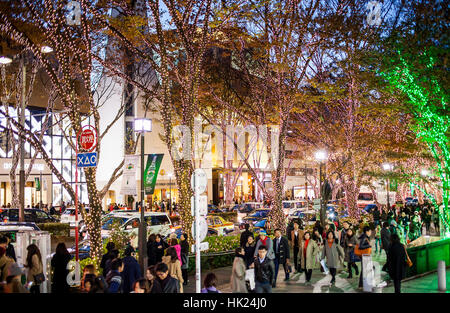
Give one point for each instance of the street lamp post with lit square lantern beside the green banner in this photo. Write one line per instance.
(142, 125)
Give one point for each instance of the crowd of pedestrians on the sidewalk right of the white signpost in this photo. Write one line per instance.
(335, 245)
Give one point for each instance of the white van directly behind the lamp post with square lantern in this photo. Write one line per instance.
(157, 223)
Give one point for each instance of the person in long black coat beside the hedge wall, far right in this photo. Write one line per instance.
(396, 261)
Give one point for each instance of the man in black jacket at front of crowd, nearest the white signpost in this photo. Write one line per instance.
(264, 272)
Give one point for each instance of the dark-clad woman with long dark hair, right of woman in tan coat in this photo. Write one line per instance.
(59, 266)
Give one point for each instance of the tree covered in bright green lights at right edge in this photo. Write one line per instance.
(428, 102)
